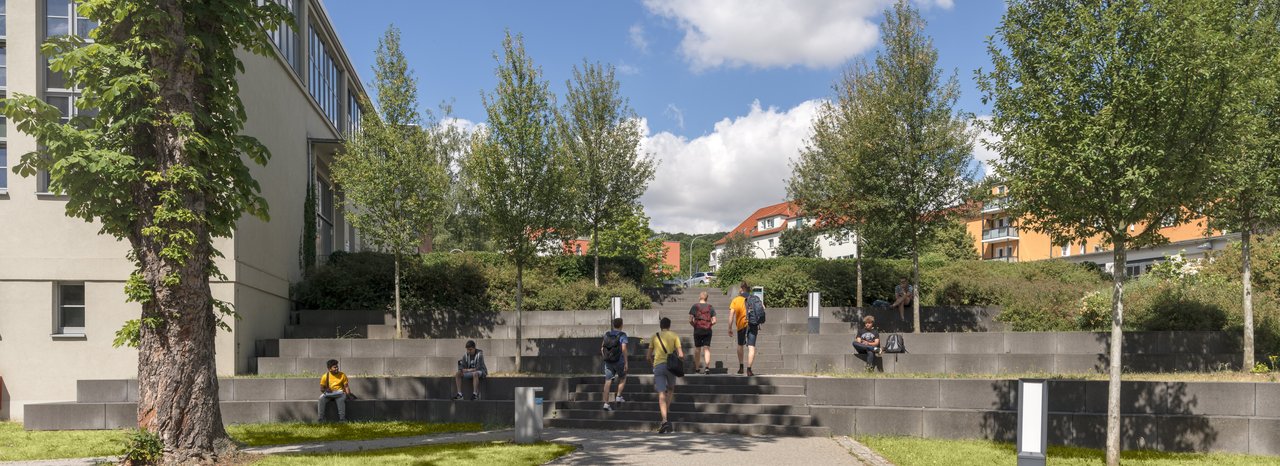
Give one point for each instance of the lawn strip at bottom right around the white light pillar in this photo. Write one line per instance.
(909, 451)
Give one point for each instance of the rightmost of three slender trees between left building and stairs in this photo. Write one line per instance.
(602, 136)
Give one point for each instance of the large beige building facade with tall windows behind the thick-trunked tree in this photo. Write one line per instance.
(62, 284)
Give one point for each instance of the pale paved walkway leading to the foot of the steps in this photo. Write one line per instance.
(609, 447)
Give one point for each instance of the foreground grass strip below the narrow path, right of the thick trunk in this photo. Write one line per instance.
(444, 455)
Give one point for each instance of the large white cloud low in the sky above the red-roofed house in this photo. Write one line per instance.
(711, 184)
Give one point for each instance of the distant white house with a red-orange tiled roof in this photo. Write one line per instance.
(765, 230)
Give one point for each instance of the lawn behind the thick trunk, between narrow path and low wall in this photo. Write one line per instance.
(19, 445)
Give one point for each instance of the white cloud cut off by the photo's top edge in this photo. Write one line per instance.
(765, 34)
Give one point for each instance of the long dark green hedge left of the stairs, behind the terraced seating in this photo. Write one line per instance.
(469, 282)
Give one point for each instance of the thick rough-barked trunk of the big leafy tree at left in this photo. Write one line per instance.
(177, 373)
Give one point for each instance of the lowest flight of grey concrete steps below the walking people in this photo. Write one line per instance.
(703, 404)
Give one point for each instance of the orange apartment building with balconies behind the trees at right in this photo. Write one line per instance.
(998, 237)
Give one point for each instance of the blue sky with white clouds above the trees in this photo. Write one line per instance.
(726, 89)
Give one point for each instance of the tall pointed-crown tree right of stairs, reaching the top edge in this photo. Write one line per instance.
(915, 159)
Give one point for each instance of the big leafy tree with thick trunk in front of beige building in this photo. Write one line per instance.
(163, 165)
